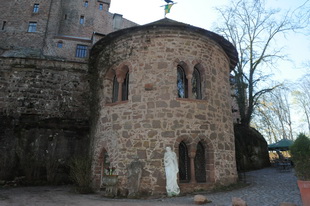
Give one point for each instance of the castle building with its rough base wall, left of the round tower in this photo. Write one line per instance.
(44, 89)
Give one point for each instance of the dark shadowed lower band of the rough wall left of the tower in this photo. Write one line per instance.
(37, 150)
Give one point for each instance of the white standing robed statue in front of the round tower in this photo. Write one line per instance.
(172, 169)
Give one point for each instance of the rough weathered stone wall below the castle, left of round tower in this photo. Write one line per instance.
(44, 117)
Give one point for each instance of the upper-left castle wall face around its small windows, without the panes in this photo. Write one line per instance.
(17, 15)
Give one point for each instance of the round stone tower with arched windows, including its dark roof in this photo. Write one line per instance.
(158, 85)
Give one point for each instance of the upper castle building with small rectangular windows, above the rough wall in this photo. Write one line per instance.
(59, 29)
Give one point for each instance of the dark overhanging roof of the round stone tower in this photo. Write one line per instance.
(228, 47)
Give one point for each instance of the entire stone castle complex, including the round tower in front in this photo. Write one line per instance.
(78, 80)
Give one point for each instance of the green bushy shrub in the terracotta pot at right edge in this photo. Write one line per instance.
(300, 152)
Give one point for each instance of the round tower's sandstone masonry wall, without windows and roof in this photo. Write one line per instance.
(153, 117)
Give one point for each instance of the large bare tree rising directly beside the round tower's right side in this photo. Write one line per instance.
(252, 29)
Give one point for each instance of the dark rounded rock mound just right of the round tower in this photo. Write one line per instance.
(251, 149)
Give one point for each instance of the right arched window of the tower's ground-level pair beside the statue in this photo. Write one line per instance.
(200, 163)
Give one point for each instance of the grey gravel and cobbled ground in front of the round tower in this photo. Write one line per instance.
(269, 187)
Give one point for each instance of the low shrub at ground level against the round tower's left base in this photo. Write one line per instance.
(80, 174)
